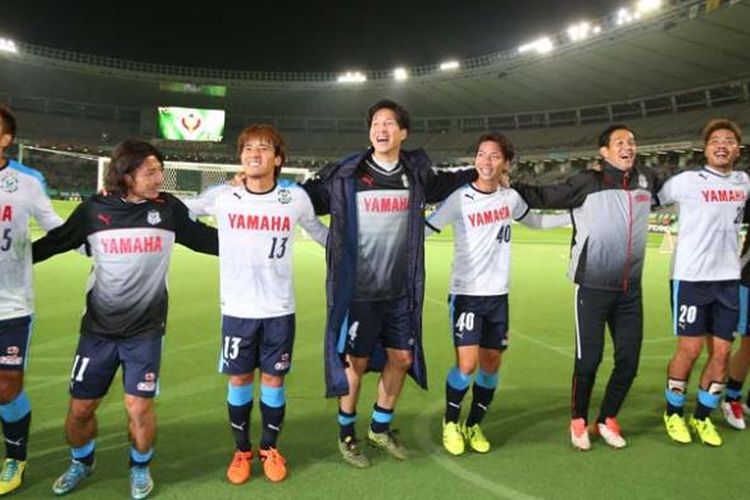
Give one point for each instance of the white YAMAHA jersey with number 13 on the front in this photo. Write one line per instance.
(256, 238)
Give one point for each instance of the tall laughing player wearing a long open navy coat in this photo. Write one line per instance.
(375, 280)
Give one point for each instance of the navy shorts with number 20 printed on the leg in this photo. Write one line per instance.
(705, 307)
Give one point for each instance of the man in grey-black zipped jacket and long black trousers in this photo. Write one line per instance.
(609, 209)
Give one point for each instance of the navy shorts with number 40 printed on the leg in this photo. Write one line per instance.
(479, 320)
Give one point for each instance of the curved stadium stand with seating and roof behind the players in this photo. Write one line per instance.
(664, 76)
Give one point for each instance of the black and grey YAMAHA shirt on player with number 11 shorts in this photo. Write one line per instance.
(131, 244)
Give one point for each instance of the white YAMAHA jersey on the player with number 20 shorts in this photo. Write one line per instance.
(711, 207)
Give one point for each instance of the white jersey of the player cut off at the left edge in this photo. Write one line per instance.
(22, 196)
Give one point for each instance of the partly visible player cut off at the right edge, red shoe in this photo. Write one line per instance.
(733, 408)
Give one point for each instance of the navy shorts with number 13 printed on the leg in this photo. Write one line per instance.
(248, 344)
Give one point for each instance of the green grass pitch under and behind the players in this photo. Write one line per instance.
(527, 424)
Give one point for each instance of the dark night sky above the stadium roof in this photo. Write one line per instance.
(292, 35)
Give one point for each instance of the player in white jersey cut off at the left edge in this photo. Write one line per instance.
(22, 196)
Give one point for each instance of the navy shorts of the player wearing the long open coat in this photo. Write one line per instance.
(368, 323)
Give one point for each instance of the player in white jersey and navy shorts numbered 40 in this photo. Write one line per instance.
(481, 214)
